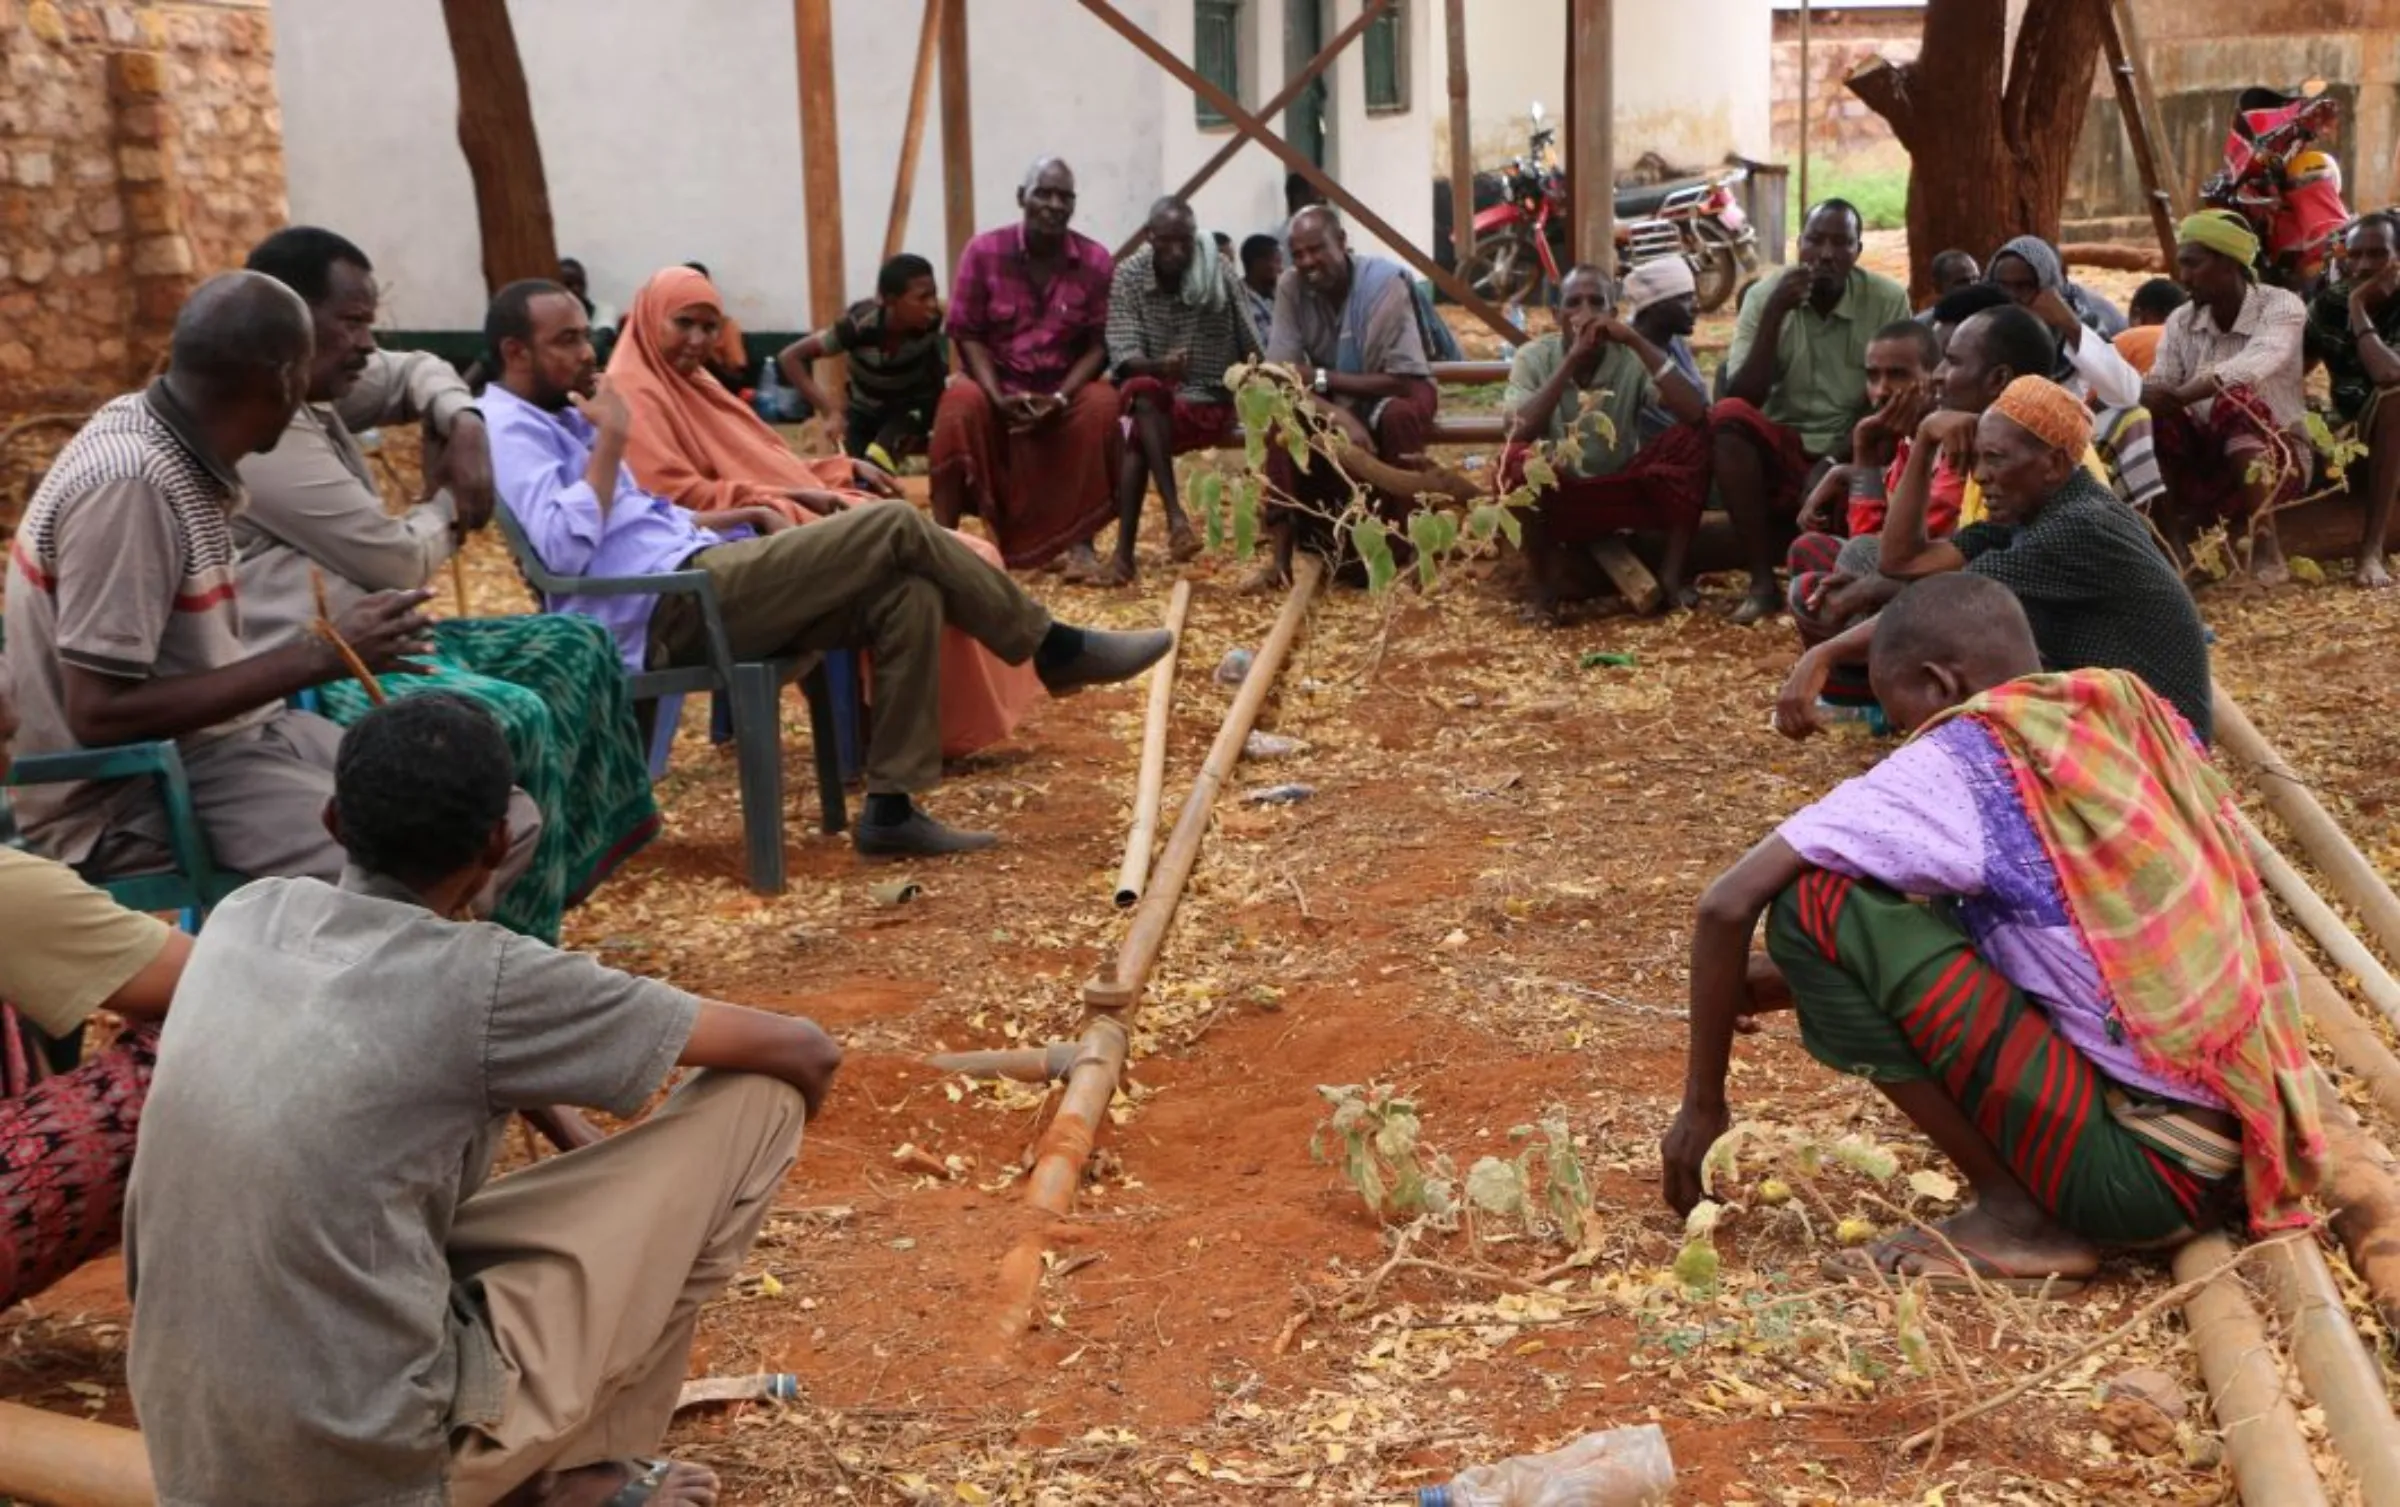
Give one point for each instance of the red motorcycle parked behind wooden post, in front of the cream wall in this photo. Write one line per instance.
(1523, 227)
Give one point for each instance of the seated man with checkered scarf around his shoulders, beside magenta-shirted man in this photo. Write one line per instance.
(1177, 325)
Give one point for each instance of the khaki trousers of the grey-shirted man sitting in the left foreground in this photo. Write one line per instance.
(594, 1268)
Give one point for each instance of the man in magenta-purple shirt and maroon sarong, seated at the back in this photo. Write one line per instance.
(1028, 440)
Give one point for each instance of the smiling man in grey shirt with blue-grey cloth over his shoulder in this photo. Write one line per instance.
(1348, 325)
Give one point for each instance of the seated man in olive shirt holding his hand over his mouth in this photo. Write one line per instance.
(1583, 390)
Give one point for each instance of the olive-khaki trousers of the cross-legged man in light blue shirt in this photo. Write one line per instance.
(880, 577)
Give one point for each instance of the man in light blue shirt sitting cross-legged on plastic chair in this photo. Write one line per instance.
(880, 577)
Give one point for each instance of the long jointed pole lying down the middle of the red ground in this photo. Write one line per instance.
(1117, 992)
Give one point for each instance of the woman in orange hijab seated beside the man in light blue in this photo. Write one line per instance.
(702, 448)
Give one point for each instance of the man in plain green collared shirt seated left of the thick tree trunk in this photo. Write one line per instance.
(1796, 385)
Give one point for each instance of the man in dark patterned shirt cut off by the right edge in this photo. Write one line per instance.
(2356, 330)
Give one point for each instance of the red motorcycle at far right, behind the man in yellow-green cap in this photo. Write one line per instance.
(2288, 188)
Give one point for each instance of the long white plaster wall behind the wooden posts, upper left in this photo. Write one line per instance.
(671, 133)
